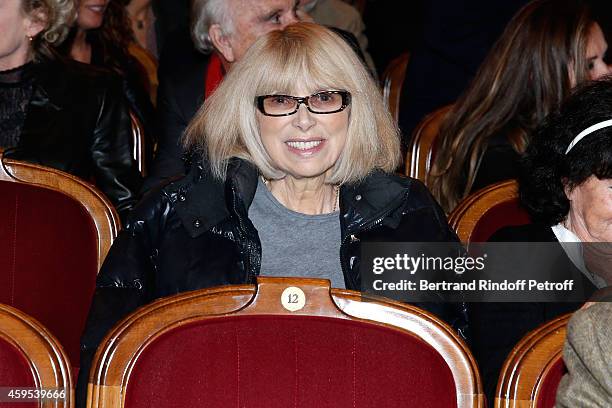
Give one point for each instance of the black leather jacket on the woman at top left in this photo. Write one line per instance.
(77, 122)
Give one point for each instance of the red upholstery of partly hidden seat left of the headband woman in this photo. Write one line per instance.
(502, 215)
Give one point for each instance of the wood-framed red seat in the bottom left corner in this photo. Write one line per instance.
(31, 357)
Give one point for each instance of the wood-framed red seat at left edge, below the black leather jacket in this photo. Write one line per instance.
(56, 231)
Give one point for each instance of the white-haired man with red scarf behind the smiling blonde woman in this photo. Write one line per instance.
(221, 31)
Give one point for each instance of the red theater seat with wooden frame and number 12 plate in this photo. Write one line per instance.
(238, 346)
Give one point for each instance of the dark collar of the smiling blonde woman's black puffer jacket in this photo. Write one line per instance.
(203, 202)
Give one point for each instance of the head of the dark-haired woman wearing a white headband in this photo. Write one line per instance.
(568, 168)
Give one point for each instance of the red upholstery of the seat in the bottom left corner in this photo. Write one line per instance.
(14, 372)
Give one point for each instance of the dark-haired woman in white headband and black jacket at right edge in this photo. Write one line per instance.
(566, 185)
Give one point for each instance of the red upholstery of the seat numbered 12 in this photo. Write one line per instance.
(289, 361)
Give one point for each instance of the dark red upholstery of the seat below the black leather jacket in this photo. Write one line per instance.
(48, 259)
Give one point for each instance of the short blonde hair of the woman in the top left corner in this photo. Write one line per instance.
(57, 16)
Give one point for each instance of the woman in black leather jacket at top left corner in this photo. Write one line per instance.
(61, 114)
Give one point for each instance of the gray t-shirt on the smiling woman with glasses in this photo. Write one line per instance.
(295, 244)
